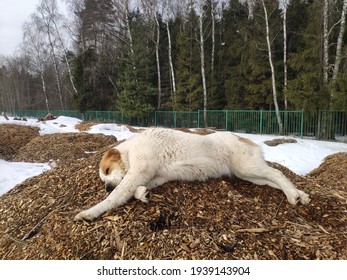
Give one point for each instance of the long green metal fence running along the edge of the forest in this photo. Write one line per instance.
(319, 125)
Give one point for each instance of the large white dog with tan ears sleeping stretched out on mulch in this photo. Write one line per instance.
(158, 155)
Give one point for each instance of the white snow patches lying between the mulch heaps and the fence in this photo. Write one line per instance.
(300, 157)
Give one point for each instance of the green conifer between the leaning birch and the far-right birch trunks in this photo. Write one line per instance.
(306, 88)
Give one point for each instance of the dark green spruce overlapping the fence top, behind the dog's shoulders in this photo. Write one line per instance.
(137, 97)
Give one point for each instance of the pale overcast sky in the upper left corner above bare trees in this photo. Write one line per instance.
(13, 13)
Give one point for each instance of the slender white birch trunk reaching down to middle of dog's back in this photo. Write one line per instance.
(202, 59)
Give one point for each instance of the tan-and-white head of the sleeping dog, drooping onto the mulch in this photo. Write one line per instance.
(112, 169)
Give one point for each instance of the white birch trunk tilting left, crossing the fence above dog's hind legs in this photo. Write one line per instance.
(273, 78)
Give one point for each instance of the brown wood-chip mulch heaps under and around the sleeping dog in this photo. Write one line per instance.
(218, 219)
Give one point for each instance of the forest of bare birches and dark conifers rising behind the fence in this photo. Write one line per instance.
(141, 56)
